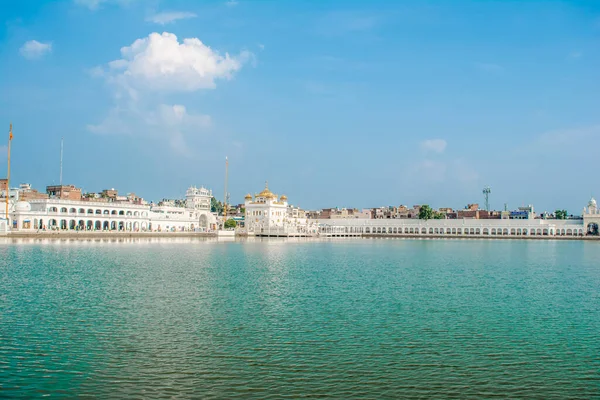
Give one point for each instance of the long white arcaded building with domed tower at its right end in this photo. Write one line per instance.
(56, 214)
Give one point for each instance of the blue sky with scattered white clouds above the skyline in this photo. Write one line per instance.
(336, 103)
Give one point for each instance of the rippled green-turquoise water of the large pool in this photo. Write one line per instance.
(271, 319)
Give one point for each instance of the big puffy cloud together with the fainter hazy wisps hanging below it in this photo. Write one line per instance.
(152, 67)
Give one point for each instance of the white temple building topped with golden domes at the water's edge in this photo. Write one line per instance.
(270, 215)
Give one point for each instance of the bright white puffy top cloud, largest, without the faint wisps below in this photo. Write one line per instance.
(160, 63)
